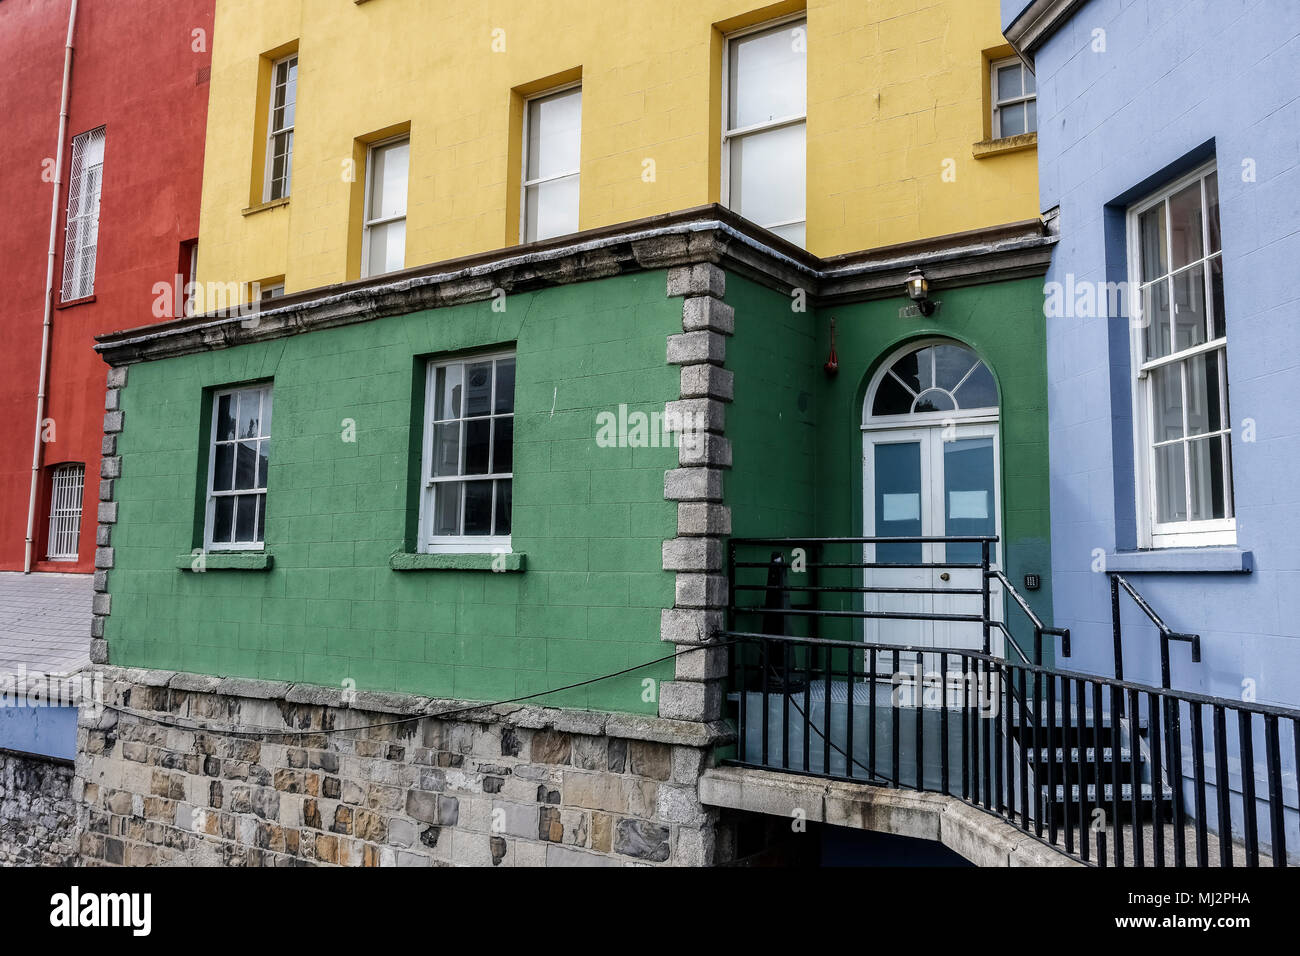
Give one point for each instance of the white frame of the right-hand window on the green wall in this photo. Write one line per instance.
(458, 544)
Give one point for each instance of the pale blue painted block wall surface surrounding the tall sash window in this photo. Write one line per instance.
(1178, 83)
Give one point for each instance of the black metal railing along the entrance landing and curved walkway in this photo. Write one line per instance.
(1110, 771)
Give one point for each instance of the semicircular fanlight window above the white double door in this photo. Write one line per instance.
(937, 378)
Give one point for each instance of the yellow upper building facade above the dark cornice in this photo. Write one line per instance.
(899, 131)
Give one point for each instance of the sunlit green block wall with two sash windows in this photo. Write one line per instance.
(591, 520)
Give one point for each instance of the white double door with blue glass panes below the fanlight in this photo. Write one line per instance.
(931, 482)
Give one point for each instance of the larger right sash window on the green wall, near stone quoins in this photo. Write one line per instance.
(469, 455)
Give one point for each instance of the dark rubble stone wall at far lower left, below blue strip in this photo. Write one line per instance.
(38, 821)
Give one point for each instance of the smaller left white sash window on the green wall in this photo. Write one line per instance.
(239, 461)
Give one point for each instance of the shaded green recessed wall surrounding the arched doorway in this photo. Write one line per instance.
(798, 434)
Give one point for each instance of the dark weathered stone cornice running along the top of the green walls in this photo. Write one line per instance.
(703, 235)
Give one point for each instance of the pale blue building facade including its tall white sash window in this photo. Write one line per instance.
(1169, 148)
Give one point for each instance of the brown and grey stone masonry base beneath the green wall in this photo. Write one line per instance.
(519, 786)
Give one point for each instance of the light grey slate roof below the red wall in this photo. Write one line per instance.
(45, 622)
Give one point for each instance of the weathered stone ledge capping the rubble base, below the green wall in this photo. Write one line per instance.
(526, 716)
